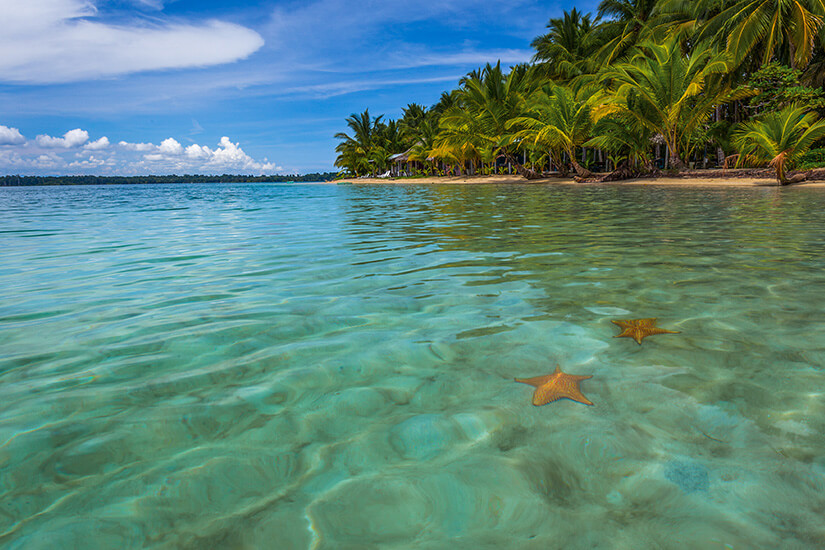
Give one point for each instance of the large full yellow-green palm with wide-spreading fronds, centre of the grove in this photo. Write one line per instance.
(667, 91)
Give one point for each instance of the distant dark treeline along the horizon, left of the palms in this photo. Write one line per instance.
(6, 181)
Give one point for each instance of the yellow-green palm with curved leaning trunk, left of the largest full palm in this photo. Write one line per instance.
(555, 119)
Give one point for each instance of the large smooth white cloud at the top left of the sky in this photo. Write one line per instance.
(48, 41)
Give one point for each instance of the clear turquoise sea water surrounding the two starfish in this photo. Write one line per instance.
(261, 366)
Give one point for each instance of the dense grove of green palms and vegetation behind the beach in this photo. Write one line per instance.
(638, 87)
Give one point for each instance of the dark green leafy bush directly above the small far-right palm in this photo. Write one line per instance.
(779, 86)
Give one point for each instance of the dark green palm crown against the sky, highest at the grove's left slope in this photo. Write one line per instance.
(568, 46)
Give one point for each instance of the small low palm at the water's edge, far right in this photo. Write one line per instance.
(779, 138)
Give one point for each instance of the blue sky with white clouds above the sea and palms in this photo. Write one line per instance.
(259, 86)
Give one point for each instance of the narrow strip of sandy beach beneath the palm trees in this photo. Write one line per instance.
(693, 180)
